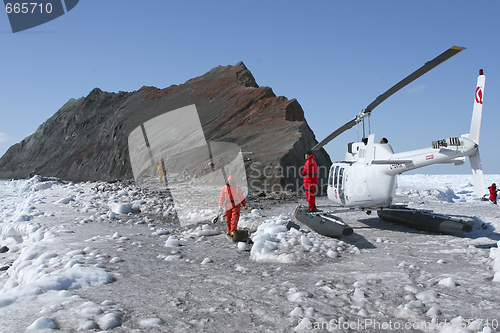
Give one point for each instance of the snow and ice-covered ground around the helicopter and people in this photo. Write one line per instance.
(111, 257)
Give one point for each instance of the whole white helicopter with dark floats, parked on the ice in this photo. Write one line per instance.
(366, 178)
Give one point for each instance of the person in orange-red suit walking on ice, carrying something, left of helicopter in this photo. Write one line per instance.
(231, 199)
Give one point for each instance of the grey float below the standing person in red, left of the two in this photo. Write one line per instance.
(324, 223)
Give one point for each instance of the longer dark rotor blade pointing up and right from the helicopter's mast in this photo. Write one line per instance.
(415, 75)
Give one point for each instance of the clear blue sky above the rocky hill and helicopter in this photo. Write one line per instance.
(334, 57)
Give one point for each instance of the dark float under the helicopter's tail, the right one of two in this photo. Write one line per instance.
(423, 220)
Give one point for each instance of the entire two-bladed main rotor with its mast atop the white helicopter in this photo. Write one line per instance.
(410, 78)
